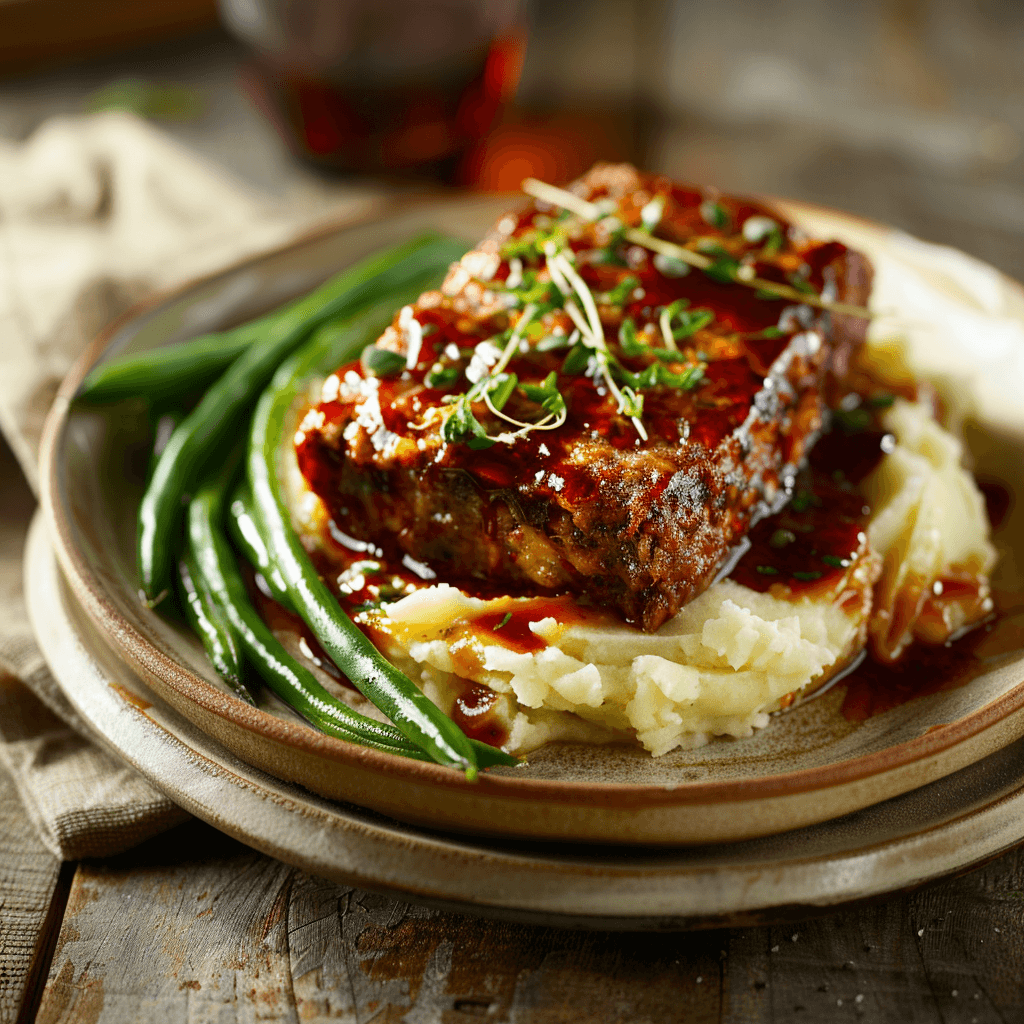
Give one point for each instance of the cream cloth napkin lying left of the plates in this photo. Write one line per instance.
(96, 212)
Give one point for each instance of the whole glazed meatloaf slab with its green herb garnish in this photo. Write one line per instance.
(573, 413)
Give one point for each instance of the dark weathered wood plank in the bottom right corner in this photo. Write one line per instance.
(951, 953)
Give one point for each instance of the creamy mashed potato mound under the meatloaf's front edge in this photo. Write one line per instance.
(717, 669)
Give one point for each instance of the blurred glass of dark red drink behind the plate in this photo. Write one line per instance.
(385, 86)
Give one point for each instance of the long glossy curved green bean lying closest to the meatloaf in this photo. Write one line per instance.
(392, 692)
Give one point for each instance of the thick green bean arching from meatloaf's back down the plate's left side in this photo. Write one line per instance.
(201, 438)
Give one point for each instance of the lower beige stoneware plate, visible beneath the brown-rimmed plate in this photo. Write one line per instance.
(945, 827)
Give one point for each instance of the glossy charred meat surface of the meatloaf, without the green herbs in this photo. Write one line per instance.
(641, 527)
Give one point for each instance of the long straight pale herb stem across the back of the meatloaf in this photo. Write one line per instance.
(722, 268)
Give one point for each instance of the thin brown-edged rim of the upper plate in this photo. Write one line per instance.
(138, 650)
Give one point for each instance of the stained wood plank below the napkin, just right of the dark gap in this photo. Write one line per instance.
(163, 936)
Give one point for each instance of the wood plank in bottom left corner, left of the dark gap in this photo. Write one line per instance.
(28, 877)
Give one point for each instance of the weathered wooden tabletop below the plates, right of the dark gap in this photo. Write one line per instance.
(195, 927)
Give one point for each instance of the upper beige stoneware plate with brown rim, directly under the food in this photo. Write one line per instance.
(809, 766)
